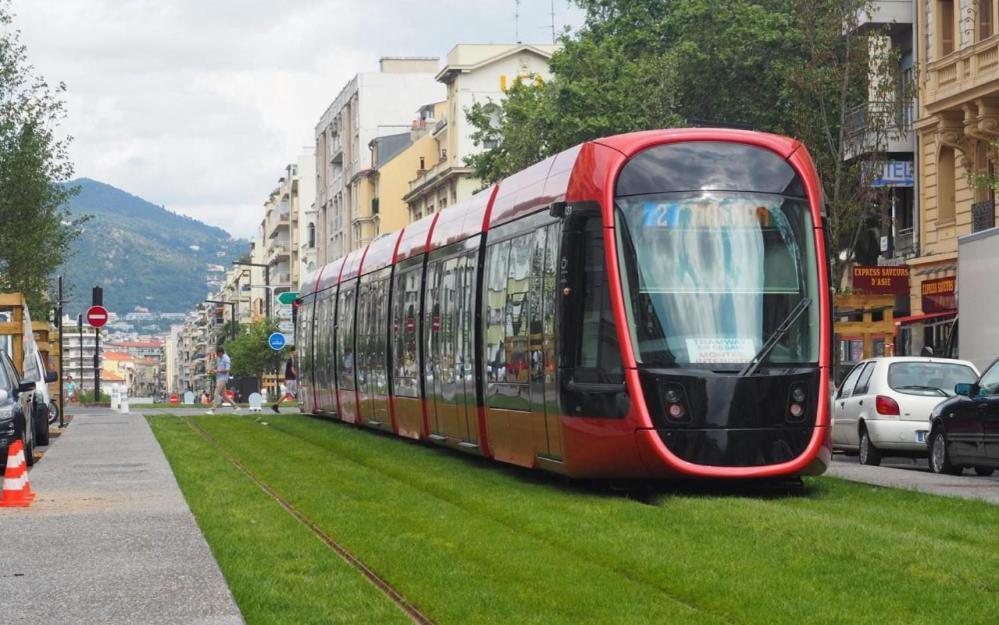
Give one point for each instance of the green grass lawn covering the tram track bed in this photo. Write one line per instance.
(473, 542)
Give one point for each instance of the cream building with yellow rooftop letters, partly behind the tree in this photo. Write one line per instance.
(475, 73)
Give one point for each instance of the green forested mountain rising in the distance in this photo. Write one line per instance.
(141, 253)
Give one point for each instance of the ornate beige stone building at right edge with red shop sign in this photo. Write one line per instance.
(957, 127)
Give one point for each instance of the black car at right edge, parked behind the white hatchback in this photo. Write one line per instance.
(964, 429)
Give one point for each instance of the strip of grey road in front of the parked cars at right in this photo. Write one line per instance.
(967, 486)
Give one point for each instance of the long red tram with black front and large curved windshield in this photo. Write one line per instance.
(649, 305)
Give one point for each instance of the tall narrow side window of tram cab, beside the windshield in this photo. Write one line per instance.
(599, 356)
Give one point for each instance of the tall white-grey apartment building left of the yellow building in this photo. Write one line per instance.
(370, 105)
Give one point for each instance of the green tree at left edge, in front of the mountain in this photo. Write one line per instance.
(37, 229)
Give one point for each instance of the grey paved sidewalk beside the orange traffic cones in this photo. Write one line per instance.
(109, 539)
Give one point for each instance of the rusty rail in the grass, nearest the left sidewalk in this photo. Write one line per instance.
(390, 592)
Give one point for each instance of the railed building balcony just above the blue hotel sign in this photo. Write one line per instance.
(880, 127)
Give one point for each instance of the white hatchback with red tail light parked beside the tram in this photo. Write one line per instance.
(884, 404)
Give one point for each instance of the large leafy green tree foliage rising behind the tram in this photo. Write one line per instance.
(793, 67)
